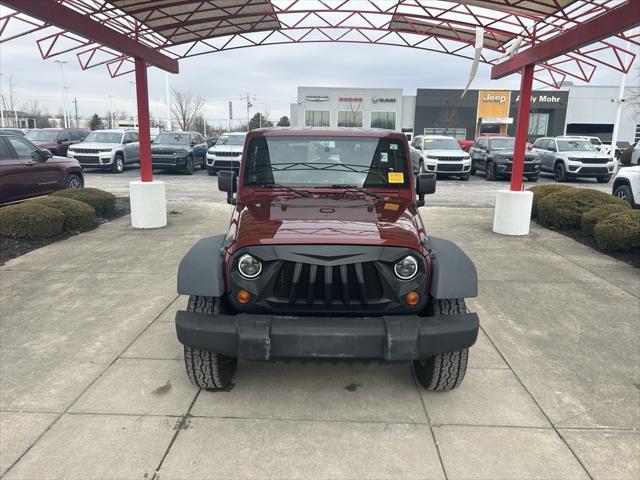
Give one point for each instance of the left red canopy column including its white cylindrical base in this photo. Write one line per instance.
(148, 198)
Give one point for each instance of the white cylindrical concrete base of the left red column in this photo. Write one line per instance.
(148, 204)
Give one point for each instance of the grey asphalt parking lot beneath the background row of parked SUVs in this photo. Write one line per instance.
(200, 187)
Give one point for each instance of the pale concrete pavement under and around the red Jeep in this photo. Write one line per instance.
(92, 383)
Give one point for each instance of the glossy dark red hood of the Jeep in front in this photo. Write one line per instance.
(326, 220)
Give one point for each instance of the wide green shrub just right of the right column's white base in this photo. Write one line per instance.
(563, 210)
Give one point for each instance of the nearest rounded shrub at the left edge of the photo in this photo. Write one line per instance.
(30, 220)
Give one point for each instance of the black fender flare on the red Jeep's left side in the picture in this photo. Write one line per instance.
(201, 270)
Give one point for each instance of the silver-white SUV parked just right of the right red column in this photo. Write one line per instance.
(572, 157)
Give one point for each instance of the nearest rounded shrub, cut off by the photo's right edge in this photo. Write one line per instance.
(619, 231)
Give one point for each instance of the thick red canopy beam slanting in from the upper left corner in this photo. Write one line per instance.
(57, 14)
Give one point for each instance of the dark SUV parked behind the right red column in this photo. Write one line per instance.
(494, 156)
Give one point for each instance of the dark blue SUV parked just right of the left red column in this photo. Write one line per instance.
(180, 151)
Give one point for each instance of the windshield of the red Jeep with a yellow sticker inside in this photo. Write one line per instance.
(325, 161)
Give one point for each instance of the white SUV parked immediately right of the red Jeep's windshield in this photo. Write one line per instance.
(441, 155)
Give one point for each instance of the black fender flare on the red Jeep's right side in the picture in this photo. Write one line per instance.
(453, 274)
